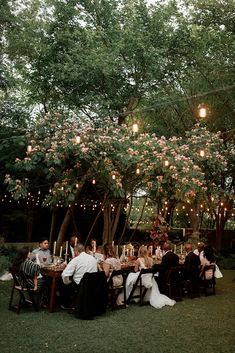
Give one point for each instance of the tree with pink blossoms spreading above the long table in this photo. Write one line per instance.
(64, 155)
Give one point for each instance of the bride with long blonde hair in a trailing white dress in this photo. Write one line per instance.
(156, 299)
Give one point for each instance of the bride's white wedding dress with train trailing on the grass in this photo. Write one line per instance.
(153, 295)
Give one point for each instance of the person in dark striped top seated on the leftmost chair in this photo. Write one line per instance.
(31, 270)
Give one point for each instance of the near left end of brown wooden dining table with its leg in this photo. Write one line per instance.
(54, 273)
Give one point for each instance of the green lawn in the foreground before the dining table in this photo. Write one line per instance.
(201, 325)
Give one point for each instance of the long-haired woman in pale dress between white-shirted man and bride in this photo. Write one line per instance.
(110, 263)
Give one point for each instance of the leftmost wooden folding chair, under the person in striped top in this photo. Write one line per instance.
(26, 295)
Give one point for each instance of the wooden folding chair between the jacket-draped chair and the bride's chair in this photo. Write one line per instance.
(114, 291)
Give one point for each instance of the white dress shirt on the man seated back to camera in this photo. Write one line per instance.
(78, 266)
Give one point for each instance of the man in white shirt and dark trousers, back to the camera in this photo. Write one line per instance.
(74, 271)
